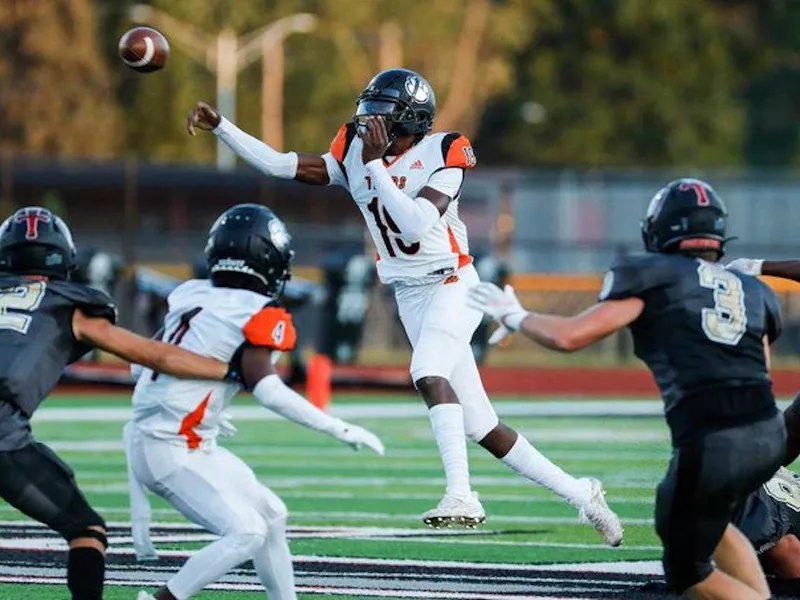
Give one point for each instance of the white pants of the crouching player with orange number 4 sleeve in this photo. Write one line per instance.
(216, 490)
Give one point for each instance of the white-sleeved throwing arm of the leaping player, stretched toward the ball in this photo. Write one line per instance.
(305, 168)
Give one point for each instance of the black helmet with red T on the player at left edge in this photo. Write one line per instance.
(34, 241)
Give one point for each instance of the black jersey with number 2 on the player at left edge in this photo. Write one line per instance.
(36, 337)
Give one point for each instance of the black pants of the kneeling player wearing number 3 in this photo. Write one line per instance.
(707, 479)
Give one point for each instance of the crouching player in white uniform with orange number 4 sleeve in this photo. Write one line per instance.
(172, 441)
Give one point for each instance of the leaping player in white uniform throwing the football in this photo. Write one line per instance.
(407, 183)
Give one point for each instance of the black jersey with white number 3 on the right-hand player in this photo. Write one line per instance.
(702, 325)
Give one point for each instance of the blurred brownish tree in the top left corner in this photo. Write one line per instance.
(56, 93)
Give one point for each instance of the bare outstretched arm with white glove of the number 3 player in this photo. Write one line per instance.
(563, 334)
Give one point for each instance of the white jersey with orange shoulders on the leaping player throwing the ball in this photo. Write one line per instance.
(432, 161)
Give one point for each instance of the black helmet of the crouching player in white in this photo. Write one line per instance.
(250, 239)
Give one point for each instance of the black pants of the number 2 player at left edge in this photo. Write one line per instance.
(39, 484)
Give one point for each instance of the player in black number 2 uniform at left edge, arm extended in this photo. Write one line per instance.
(46, 323)
